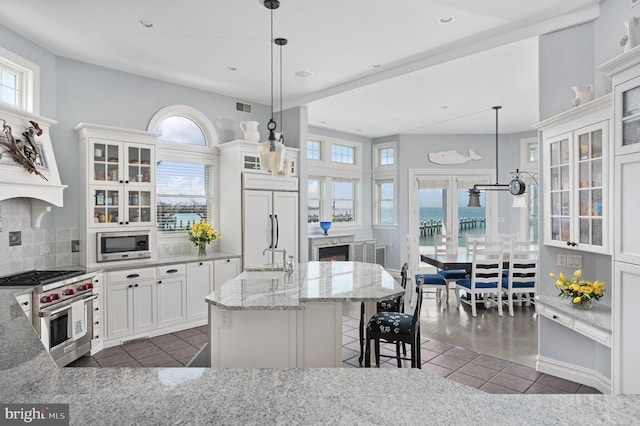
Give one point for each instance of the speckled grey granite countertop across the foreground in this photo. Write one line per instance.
(155, 396)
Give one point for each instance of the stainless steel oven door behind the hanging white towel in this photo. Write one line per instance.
(56, 332)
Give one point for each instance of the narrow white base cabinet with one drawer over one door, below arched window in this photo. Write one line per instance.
(172, 295)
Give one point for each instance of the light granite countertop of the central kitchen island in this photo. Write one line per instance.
(260, 289)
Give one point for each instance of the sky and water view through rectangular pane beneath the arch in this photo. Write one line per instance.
(182, 194)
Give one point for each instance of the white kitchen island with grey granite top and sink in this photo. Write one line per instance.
(274, 319)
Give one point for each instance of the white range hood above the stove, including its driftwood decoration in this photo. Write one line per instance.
(42, 183)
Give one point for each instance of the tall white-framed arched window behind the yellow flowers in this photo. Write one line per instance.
(186, 186)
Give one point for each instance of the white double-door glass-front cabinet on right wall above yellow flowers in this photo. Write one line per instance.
(576, 167)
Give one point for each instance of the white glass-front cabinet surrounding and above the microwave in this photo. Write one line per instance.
(116, 184)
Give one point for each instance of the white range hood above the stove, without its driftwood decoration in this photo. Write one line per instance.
(15, 180)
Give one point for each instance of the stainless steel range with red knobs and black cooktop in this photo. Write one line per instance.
(61, 310)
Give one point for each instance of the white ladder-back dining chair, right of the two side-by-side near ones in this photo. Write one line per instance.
(522, 279)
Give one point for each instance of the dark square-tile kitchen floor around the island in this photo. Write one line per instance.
(487, 373)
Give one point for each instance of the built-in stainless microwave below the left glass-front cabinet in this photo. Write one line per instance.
(126, 245)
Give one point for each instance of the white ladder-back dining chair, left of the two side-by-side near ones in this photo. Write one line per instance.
(486, 276)
